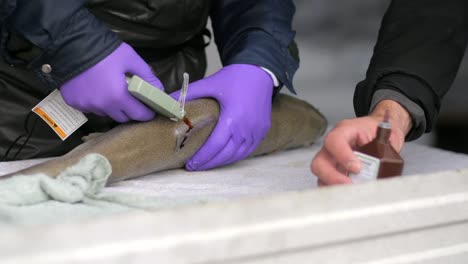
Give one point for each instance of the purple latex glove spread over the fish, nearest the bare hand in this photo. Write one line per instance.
(244, 93)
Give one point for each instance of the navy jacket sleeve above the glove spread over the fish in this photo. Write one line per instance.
(257, 32)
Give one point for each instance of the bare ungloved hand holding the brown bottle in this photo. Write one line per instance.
(336, 158)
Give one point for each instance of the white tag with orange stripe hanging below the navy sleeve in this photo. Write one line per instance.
(62, 118)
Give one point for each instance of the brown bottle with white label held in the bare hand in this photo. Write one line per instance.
(378, 158)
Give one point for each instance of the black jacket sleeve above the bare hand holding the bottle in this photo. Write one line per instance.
(418, 52)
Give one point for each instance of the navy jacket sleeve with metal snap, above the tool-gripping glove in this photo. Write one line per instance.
(56, 39)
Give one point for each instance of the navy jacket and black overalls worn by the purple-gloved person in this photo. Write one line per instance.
(170, 35)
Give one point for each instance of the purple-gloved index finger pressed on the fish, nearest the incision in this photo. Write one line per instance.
(218, 140)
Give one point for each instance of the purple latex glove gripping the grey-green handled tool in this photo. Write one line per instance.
(103, 90)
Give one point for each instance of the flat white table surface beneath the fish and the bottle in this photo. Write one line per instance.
(275, 173)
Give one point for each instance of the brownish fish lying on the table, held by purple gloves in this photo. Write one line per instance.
(140, 148)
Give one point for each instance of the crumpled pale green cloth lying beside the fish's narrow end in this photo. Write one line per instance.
(77, 193)
